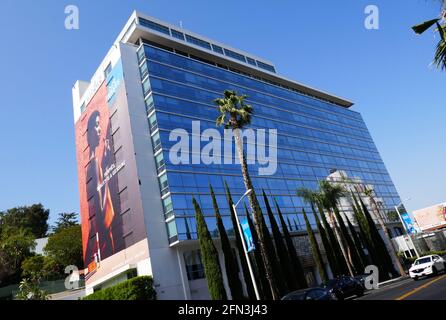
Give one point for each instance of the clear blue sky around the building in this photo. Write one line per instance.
(321, 43)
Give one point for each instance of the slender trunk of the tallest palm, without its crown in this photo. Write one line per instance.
(255, 207)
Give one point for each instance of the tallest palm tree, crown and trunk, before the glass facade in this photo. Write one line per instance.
(235, 114)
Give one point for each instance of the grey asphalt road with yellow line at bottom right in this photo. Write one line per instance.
(431, 288)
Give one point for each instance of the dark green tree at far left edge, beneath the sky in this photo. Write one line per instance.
(34, 218)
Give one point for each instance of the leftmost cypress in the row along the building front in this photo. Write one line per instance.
(209, 256)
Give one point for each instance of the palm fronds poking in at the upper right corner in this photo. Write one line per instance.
(440, 54)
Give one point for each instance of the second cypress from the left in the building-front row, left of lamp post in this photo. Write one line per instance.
(234, 283)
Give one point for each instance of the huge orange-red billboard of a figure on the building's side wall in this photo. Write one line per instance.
(106, 213)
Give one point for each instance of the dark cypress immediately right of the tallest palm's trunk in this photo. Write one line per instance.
(290, 283)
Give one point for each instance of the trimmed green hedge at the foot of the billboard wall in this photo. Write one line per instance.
(139, 288)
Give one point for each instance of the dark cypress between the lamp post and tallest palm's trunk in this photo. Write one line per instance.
(262, 282)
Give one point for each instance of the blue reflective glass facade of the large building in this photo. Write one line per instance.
(314, 137)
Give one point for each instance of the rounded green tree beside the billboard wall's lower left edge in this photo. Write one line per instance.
(65, 247)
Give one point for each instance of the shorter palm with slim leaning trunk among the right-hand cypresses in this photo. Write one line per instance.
(330, 194)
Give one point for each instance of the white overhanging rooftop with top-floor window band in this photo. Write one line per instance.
(151, 30)
